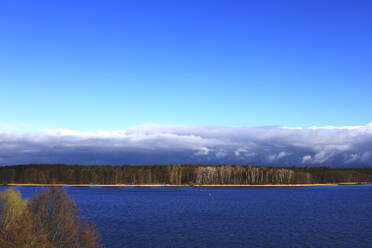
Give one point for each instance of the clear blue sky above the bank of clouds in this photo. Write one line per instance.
(108, 65)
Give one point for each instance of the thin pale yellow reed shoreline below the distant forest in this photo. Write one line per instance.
(184, 185)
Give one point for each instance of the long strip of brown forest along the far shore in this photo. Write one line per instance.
(178, 174)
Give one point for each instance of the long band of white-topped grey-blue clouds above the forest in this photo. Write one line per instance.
(349, 146)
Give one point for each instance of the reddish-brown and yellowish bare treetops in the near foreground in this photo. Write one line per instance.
(50, 219)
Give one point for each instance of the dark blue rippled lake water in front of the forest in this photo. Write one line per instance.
(325, 216)
